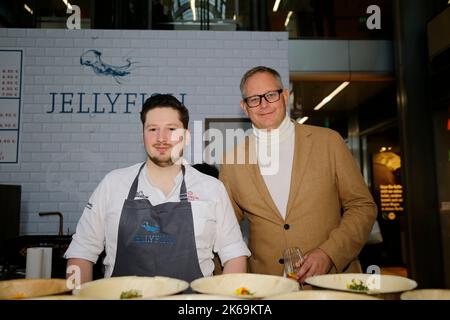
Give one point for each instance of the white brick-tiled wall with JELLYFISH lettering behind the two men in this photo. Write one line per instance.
(63, 155)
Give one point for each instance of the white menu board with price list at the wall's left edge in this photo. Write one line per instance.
(10, 101)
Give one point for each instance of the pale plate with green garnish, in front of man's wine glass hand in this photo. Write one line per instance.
(377, 284)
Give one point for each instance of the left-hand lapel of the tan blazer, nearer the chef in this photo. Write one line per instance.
(256, 176)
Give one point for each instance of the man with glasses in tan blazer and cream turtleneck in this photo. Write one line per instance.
(315, 198)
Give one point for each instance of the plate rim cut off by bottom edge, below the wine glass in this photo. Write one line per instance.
(321, 295)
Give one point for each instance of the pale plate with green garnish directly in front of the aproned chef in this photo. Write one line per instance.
(148, 287)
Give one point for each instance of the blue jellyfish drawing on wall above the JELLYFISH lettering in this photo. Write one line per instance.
(93, 58)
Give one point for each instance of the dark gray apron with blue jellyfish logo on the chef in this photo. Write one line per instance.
(157, 240)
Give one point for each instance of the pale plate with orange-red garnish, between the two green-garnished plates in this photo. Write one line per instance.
(258, 284)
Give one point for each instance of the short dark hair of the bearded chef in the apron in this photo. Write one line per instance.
(165, 101)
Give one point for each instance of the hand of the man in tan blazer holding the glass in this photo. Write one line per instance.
(316, 262)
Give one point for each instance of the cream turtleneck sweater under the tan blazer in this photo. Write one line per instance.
(281, 142)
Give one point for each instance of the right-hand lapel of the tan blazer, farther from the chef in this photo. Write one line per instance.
(302, 151)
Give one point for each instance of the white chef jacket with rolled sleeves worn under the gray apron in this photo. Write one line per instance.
(215, 225)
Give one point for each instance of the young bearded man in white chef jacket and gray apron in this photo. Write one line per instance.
(161, 217)
